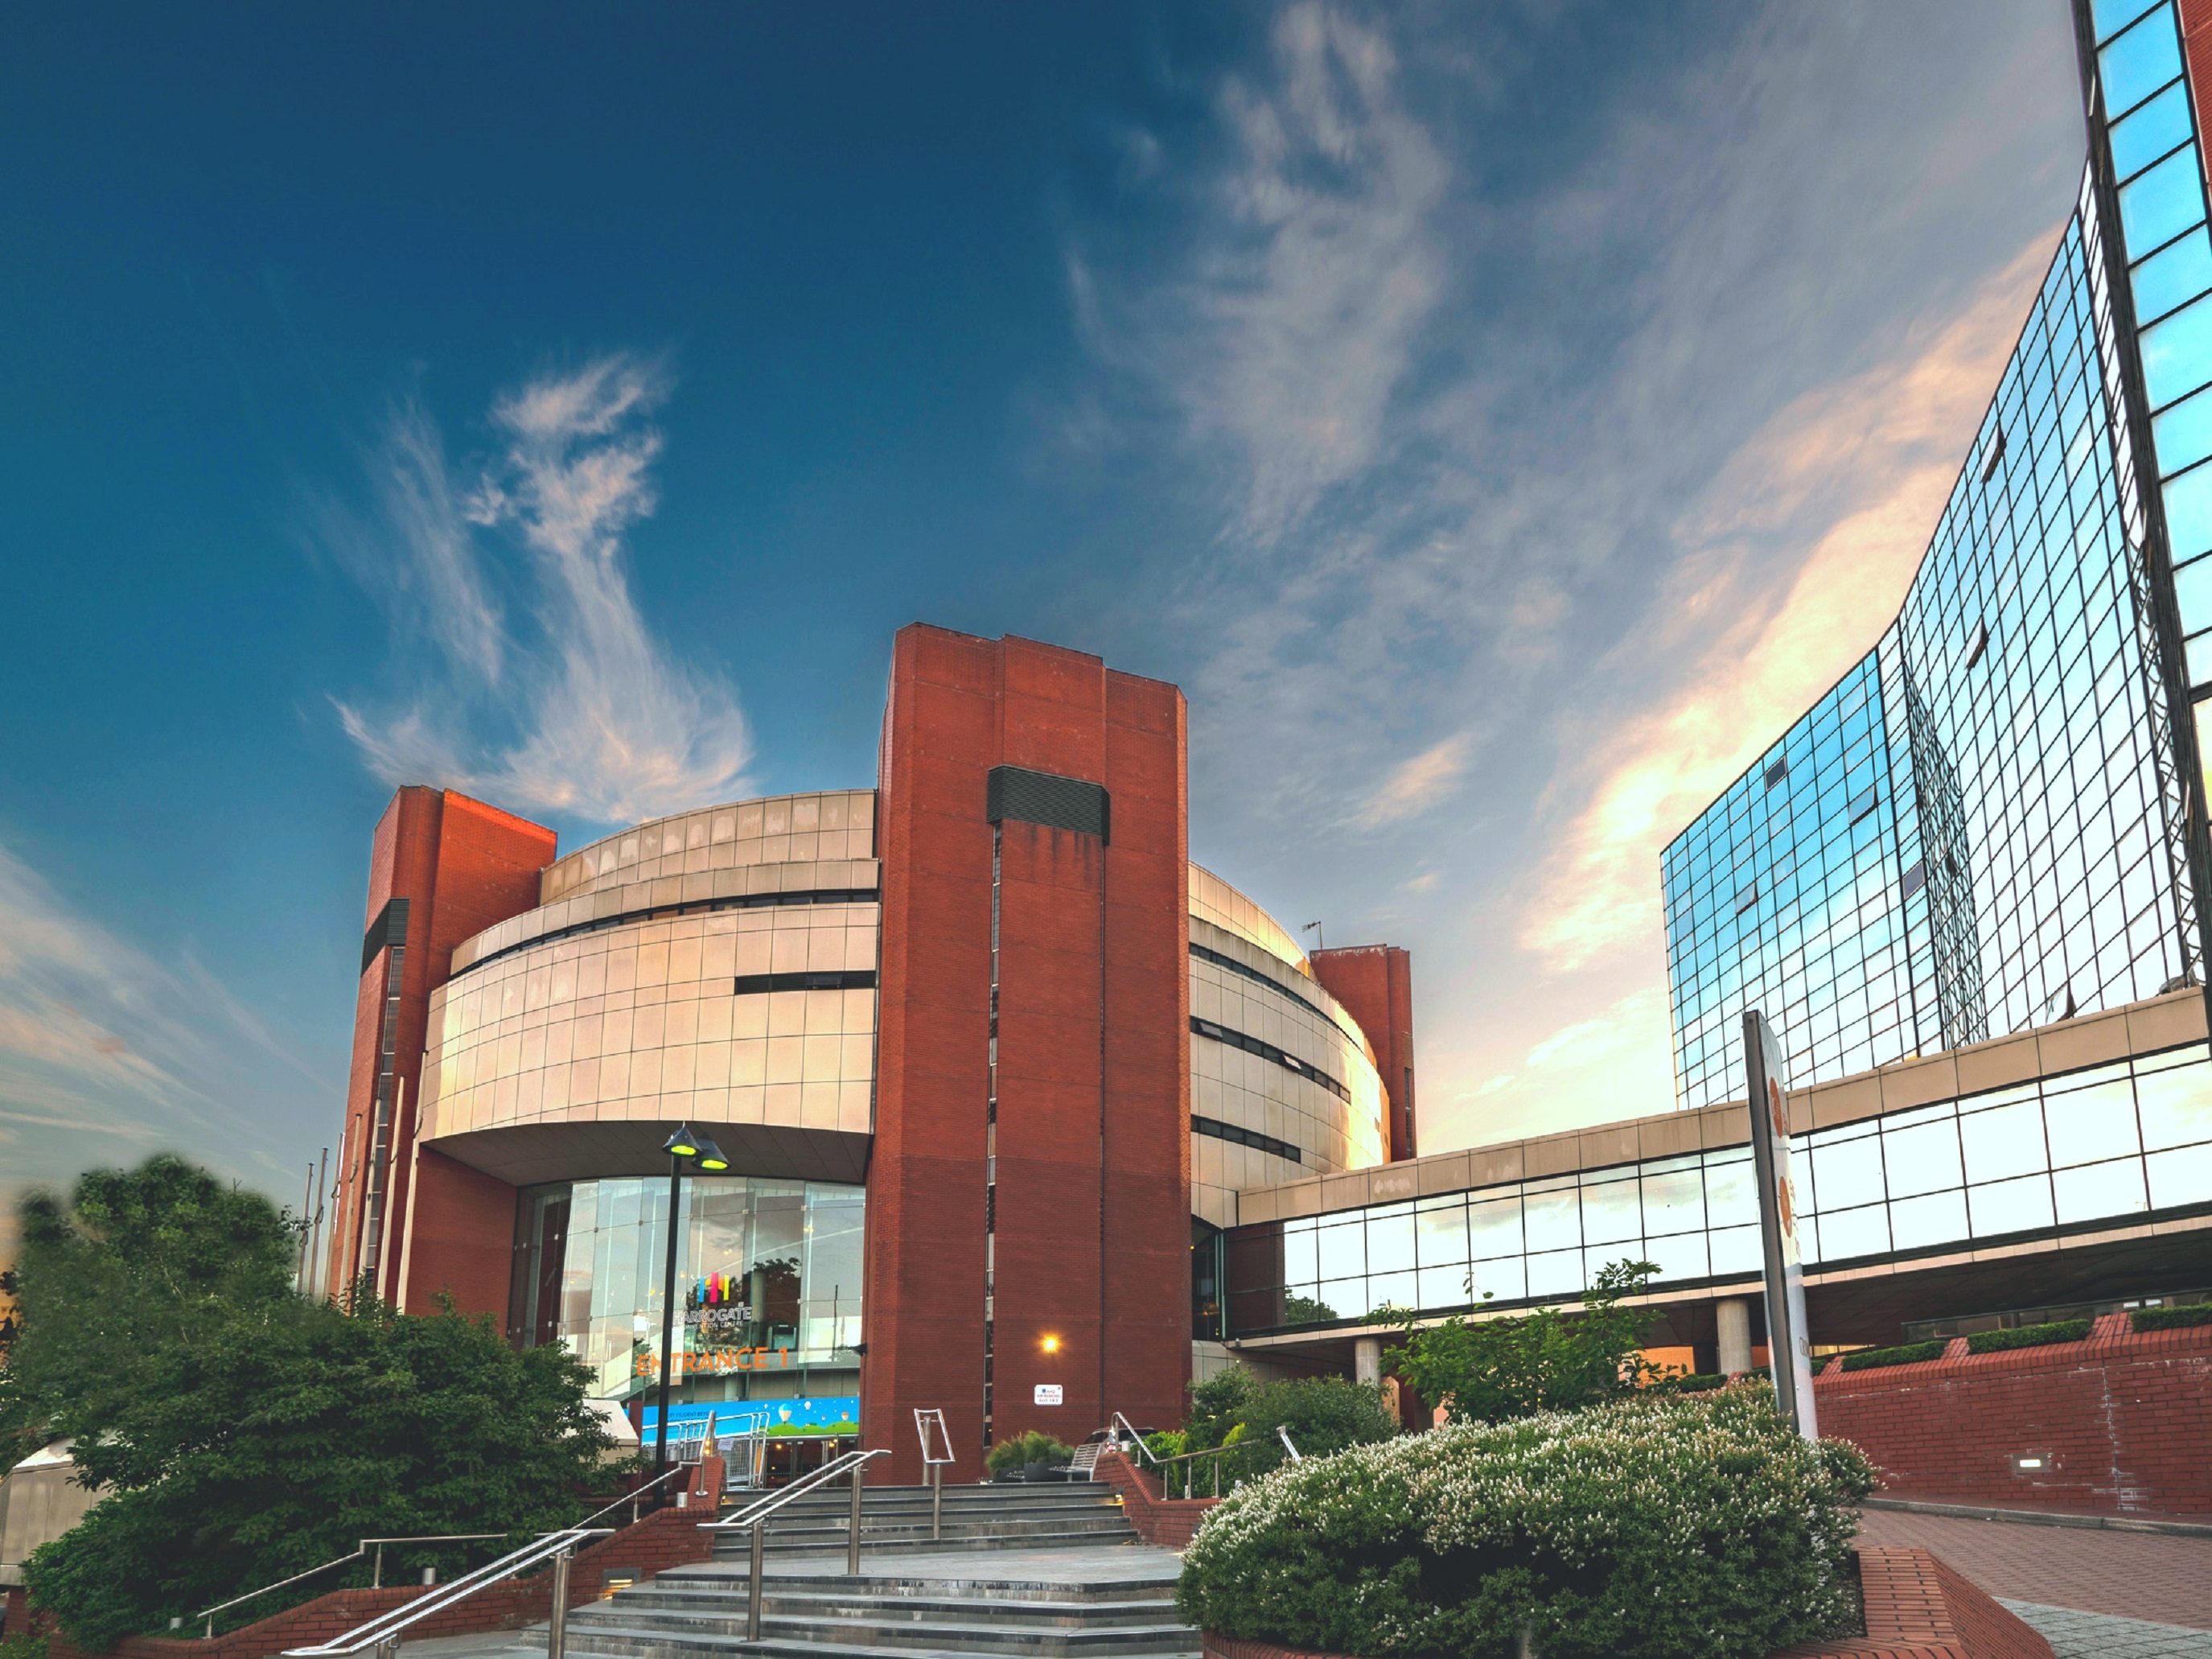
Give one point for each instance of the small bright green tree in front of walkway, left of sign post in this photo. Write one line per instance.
(1492, 1370)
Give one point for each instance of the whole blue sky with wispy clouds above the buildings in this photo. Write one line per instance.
(1499, 421)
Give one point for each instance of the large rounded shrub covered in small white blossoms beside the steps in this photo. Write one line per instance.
(1658, 1527)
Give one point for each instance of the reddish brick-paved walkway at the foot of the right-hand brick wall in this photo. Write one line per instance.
(2133, 1576)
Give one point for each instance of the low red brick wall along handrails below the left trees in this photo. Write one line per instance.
(654, 1545)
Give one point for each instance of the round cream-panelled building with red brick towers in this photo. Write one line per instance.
(990, 1061)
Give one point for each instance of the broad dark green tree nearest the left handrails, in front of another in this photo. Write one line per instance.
(284, 1434)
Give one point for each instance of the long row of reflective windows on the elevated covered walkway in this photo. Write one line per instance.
(2074, 1154)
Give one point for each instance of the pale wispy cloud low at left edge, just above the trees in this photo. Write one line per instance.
(109, 1054)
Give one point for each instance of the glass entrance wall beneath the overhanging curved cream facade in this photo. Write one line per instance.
(769, 1282)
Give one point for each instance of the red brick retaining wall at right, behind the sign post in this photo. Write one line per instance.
(2122, 1423)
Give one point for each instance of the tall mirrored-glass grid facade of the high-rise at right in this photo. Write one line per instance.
(1985, 824)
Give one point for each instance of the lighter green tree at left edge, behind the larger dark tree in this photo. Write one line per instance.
(136, 1264)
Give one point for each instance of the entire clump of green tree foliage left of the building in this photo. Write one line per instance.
(242, 1434)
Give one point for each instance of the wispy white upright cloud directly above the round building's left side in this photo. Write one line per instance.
(578, 711)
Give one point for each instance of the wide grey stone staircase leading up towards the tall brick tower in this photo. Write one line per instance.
(1021, 1572)
